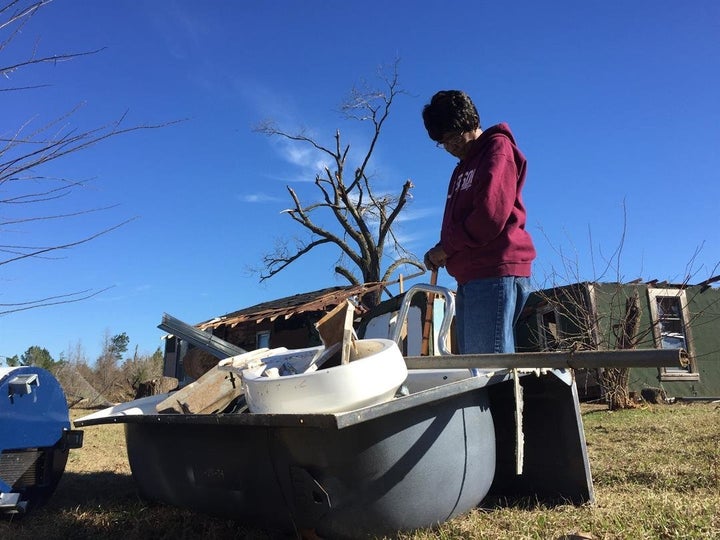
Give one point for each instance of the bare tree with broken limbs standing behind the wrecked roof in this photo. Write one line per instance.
(364, 217)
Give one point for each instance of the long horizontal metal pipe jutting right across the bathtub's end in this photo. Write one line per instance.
(554, 360)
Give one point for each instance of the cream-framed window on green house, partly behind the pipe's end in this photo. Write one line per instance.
(671, 330)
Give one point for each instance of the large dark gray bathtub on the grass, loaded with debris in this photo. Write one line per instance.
(414, 462)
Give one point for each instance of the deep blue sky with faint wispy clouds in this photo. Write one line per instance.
(614, 104)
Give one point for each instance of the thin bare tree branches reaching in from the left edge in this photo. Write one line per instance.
(29, 195)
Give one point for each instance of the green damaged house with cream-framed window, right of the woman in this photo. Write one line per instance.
(642, 315)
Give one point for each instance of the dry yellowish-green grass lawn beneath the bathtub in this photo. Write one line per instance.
(656, 471)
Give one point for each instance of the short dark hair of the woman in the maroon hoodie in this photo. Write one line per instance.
(450, 111)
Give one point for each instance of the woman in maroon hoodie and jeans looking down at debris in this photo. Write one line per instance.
(483, 241)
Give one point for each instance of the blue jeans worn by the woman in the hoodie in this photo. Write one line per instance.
(486, 313)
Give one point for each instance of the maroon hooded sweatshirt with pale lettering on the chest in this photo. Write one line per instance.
(483, 229)
